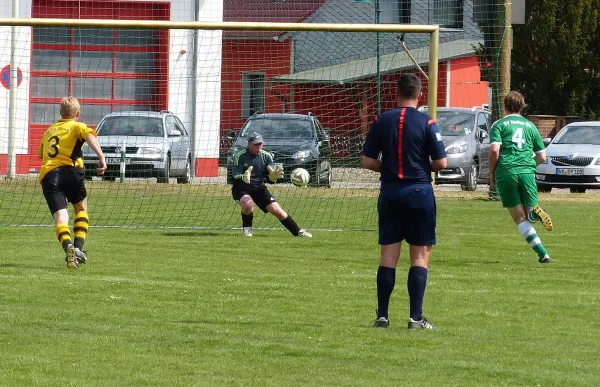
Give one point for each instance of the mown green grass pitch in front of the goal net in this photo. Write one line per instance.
(175, 307)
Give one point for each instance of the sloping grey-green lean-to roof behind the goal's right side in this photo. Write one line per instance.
(367, 68)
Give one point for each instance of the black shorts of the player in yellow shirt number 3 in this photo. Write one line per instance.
(63, 184)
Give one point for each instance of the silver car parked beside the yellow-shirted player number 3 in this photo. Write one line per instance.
(156, 145)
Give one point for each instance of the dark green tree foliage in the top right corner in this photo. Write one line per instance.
(555, 57)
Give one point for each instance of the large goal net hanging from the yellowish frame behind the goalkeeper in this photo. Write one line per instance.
(174, 100)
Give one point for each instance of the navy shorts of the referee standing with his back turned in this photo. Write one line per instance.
(407, 214)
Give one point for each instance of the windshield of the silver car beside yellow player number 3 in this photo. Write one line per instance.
(131, 126)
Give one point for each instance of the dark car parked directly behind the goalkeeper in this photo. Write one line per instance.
(294, 140)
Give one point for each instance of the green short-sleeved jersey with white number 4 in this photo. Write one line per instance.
(519, 138)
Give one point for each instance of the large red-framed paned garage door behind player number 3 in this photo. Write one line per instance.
(107, 69)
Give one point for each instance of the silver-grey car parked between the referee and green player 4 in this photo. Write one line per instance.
(465, 132)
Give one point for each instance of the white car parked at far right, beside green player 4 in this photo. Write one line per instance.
(573, 159)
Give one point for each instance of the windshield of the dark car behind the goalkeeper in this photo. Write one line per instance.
(279, 128)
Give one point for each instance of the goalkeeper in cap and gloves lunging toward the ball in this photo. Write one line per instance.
(251, 166)
